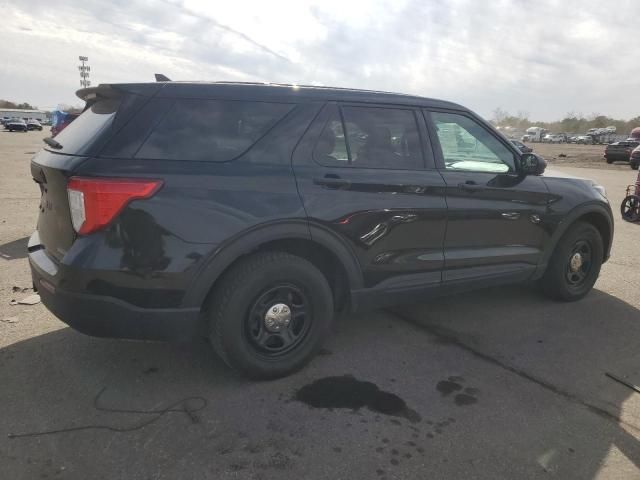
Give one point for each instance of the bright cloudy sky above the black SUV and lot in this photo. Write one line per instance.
(544, 57)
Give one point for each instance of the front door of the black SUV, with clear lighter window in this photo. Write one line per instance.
(495, 215)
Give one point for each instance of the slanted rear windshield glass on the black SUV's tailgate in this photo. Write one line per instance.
(79, 135)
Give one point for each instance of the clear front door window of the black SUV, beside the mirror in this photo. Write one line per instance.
(467, 145)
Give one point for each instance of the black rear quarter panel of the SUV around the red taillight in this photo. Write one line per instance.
(162, 244)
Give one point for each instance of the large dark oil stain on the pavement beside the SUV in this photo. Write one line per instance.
(348, 392)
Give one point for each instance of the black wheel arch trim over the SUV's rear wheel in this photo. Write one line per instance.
(323, 248)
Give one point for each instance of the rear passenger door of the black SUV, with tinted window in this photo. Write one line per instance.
(366, 173)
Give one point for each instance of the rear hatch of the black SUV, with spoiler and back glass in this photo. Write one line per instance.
(52, 167)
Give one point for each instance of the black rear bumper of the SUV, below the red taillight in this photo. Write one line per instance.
(103, 316)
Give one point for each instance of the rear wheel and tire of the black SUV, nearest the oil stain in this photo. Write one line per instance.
(248, 293)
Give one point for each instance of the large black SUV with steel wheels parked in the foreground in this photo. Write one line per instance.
(251, 213)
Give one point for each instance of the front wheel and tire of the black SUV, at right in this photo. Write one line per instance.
(561, 281)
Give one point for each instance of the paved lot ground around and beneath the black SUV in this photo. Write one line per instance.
(492, 384)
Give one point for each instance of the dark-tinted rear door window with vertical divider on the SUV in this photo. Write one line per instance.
(377, 138)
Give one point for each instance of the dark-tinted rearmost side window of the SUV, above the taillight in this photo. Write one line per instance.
(211, 130)
